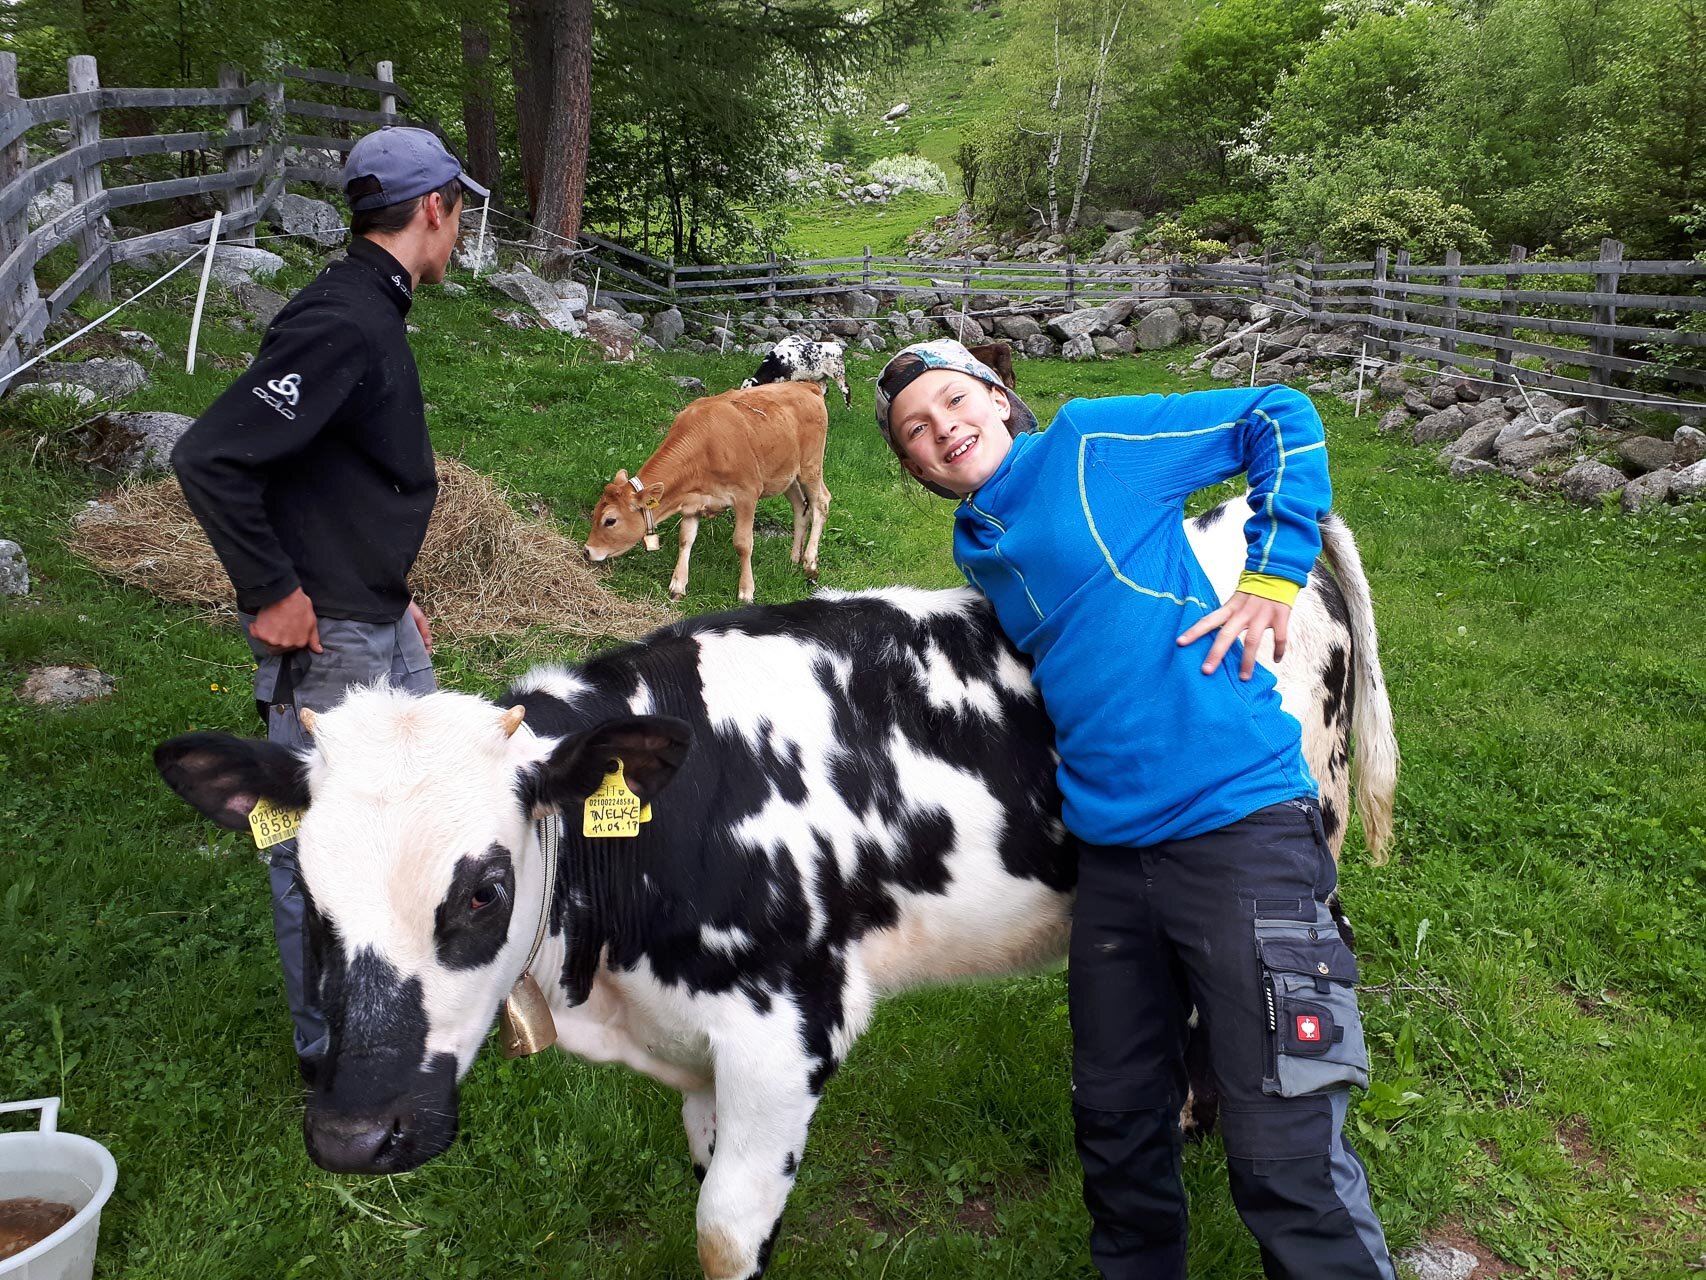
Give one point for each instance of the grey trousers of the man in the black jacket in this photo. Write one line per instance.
(354, 655)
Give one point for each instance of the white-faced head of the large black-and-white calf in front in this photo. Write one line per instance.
(424, 887)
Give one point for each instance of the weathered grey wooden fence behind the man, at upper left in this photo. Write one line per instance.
(258, 122)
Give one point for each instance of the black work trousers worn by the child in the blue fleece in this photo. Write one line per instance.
(1234, 924)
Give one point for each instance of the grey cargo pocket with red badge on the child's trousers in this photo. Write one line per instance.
(1314, 1030)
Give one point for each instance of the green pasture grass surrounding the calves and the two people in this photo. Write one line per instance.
(1533, 957)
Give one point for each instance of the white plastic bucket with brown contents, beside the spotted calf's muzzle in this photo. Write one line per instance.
(69, 1170)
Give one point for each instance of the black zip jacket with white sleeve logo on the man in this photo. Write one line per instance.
(315, 468)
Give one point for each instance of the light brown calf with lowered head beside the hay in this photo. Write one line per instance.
(724, 451)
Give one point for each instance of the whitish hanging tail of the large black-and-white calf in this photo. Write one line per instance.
(1374, 767)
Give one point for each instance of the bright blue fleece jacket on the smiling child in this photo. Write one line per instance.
(1079, 544)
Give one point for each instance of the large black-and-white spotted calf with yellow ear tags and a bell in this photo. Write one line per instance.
(852, 796)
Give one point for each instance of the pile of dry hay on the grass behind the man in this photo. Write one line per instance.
(484, 569)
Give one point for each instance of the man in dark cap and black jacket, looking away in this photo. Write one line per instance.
(313, 477)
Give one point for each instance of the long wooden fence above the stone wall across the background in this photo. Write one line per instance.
(1483, 317)
